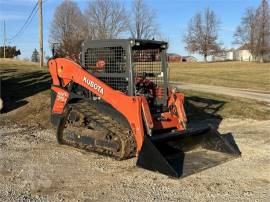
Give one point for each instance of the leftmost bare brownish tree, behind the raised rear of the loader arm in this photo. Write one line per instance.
(68, 28)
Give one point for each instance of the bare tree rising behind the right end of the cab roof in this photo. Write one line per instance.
(142, 23)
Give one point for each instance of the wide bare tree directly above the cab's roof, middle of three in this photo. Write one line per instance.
(106, 19)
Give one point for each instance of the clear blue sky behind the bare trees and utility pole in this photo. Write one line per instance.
(172, 17)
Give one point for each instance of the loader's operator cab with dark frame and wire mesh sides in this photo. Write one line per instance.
(132, 66)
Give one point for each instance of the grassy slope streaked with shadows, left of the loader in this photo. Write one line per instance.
(20, 80)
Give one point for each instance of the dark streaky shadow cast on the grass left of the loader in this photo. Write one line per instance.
(16, 86)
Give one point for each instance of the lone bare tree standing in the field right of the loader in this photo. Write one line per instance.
(202, 34)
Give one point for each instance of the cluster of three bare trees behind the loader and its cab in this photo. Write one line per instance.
(102, 19)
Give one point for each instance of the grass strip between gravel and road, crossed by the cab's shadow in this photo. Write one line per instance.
(204, 105)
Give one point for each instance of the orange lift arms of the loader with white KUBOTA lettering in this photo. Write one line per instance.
(134, 108)
